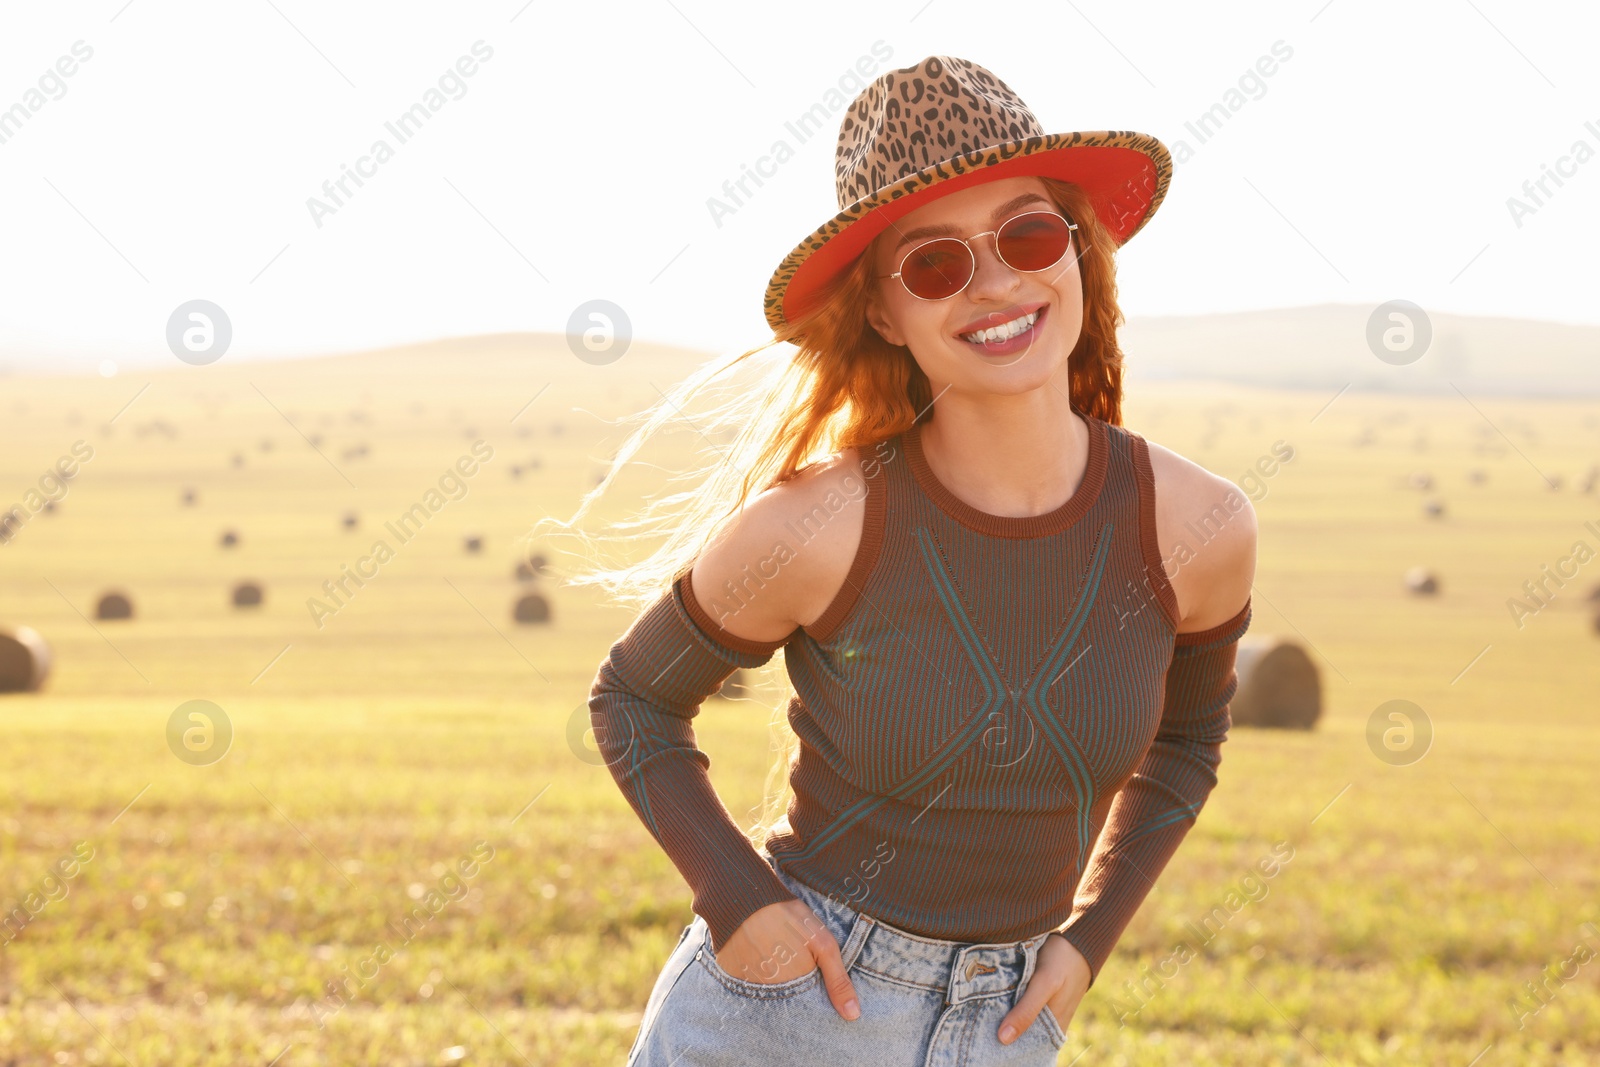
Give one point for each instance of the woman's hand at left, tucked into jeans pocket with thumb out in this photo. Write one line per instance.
(785, 941)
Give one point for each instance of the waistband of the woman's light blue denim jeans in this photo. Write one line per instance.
(961, 970)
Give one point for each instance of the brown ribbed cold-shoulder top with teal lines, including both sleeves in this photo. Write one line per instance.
(1001, 729)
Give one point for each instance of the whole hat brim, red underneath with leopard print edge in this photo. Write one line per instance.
(1126, 175)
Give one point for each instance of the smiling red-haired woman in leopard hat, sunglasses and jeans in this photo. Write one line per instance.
(1012, 677)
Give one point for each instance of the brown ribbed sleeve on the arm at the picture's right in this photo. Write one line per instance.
(1162, 799)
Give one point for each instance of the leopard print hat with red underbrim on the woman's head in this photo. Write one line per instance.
(919, 134)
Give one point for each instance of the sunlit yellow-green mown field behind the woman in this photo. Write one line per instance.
(410, 733)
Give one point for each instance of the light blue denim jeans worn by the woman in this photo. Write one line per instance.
(924, 1004)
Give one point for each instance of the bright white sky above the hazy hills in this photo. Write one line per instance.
(578, 158)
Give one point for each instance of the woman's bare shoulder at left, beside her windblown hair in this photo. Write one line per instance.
(780, 562)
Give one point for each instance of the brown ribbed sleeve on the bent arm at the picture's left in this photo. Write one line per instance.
(641, 706)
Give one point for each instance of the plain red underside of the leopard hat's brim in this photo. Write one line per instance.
(1119, 182)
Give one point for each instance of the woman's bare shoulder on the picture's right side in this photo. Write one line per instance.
(1207, 533)
